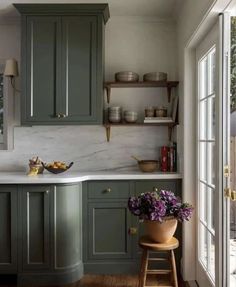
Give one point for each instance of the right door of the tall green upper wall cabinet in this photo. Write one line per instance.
(79, 66)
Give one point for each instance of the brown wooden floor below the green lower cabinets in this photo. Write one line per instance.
(112, 281)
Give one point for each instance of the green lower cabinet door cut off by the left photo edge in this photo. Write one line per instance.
(8, 229)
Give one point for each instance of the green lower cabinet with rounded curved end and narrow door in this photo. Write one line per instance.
(51, 234)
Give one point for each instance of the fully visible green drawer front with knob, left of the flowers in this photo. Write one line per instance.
(108, 189)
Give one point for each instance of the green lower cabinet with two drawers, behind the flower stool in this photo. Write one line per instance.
(110, 232)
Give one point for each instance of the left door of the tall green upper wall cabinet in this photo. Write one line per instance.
(41, 69)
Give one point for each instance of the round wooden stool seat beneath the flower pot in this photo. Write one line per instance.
(145, 242)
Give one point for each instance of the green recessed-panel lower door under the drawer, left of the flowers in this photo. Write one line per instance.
(108, 226)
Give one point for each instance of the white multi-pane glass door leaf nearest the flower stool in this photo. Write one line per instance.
(209, 201)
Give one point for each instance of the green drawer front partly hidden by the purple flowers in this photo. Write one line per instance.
(155, 185)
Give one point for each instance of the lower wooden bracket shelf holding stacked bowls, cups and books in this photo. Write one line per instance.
(108, 126)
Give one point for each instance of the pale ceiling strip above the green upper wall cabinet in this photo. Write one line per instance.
(151, 8)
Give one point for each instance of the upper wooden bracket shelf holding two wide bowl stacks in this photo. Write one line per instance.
(157, 84)
